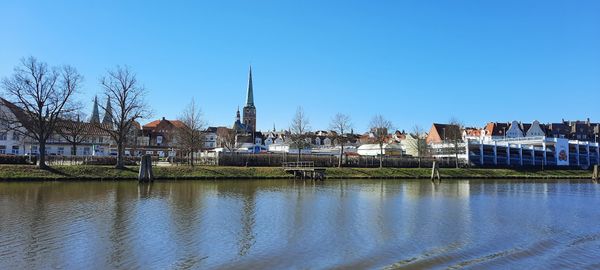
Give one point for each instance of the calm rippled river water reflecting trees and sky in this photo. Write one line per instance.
(285, 224)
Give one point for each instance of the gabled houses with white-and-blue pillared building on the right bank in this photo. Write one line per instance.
(568, 143)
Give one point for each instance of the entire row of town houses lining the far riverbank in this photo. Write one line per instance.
(496, 143)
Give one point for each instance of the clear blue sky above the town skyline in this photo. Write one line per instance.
(415, 62)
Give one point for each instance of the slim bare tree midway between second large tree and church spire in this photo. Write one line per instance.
(190, 136)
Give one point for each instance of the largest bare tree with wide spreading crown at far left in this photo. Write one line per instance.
(40, 96)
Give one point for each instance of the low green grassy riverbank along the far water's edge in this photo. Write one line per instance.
(91, 172)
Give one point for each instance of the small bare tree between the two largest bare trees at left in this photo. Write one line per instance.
(73, 129)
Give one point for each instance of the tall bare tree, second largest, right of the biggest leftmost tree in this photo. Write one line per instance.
(127, 101)
